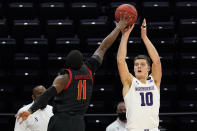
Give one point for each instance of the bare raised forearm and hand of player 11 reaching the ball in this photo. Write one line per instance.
(109, 40)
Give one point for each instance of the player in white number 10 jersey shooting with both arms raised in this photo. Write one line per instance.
(141, 92)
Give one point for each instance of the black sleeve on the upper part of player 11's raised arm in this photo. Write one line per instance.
(94, 63)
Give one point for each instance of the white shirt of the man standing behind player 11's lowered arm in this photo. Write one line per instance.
(38, 121)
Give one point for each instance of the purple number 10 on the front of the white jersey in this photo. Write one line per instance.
(146, 99)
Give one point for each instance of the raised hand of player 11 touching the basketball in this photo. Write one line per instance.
(123, 21)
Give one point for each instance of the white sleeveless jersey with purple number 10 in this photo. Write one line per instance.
(142, 105)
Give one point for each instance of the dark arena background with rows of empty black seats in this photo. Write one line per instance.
(36, 35)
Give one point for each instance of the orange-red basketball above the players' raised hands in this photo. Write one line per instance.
(131, 11)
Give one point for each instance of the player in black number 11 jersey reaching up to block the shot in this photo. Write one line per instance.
(72, 89)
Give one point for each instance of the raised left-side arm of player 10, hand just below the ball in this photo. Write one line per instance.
(125, 76)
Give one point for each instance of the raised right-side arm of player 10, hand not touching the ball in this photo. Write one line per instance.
(156, 66)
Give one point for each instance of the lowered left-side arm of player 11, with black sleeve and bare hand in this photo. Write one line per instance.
(58, 85)
